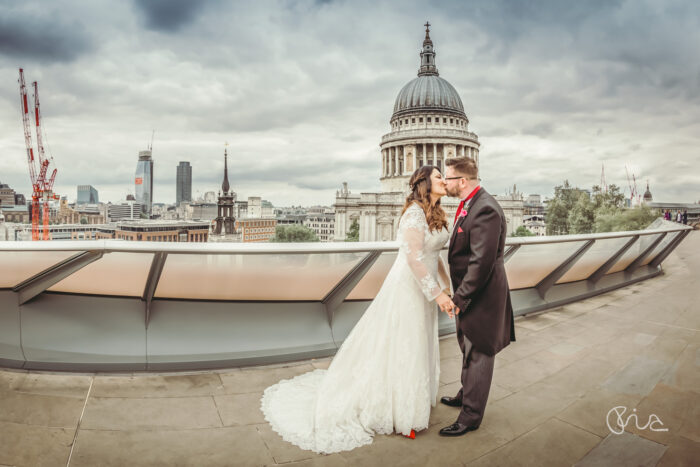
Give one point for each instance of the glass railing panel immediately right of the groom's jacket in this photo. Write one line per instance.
(532, 263)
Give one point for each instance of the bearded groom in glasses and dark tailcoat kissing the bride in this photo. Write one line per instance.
(481, 293)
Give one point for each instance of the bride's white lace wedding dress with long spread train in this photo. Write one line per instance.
(385, 376)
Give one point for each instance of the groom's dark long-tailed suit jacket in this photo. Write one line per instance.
(479, 277)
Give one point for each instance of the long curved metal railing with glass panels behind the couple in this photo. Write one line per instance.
(116, 305)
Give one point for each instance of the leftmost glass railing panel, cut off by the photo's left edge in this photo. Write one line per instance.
(17, 266)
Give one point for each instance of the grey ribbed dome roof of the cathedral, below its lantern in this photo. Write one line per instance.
(428, 93)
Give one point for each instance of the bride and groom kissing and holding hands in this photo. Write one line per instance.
(385, 376)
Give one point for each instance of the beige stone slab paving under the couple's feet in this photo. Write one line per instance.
(636, 348)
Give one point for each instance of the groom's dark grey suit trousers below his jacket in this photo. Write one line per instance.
(477, 372)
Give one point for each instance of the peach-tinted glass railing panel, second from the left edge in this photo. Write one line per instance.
(122, 274)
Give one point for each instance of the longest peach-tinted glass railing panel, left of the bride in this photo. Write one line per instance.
(254, 277)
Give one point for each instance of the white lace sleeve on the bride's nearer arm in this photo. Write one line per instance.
(412, 231)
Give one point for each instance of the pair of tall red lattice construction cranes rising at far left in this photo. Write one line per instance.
(42, 190)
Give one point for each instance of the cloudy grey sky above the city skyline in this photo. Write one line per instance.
(303, 91)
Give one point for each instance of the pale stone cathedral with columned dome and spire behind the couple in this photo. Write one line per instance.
(428, 126)
